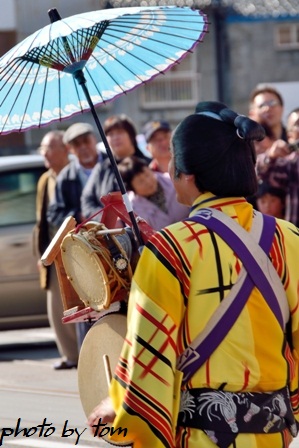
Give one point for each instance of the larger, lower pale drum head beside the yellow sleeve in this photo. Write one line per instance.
(106, 336)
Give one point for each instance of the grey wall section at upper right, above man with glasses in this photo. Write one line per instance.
(254, 59)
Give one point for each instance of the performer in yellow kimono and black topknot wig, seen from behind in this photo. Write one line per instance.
(245, 394)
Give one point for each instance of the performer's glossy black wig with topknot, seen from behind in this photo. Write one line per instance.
(216, 145)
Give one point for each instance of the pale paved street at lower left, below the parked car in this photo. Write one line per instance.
(30, 390)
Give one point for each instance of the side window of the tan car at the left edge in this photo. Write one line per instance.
(18, 196)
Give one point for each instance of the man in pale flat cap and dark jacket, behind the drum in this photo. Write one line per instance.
(80, 141)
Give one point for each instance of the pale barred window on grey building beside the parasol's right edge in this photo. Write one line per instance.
(179, 87)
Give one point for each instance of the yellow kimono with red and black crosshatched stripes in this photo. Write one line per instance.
(182, 275)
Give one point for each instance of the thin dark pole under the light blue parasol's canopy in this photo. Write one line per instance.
(79, 76)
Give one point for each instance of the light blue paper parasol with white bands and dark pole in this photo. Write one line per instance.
(75, 64)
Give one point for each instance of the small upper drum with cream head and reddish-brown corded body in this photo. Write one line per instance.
(97, 265)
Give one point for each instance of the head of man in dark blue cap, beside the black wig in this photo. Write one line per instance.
(157, 135)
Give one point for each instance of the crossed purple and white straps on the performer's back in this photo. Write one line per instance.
(257, 271)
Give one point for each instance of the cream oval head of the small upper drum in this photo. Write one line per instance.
(85, 271)
